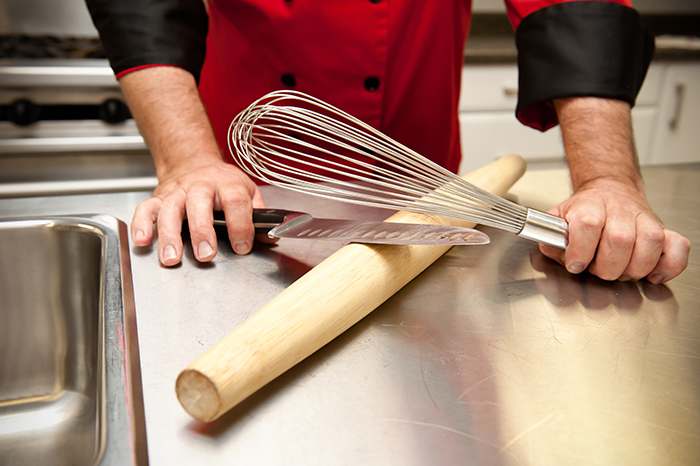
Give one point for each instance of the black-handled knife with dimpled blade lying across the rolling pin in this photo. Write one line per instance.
(278, 223)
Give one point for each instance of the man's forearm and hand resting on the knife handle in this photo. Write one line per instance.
(193, 178)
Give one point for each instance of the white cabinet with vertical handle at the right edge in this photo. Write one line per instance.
(677, 133)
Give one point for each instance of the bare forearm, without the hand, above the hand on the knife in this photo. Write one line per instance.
(166, 106)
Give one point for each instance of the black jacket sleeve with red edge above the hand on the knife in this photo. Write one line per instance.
(142, 33)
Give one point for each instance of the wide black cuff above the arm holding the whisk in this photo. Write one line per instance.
(580, 48)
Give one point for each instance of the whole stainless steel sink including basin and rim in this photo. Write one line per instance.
(70, 386)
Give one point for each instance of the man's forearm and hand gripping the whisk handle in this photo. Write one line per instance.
(612, 230)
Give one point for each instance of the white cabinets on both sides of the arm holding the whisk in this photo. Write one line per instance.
(489, 129)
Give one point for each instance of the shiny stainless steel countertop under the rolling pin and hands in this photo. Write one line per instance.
(493, 355)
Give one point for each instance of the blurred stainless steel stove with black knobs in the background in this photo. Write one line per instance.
(64, 126)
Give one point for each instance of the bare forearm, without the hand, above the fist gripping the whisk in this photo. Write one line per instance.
(598, 141)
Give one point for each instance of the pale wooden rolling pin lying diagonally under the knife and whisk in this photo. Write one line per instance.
(318, 307)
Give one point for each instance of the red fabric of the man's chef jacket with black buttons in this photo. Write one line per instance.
(394, 64)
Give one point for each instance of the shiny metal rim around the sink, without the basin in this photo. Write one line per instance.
(121, 411)
